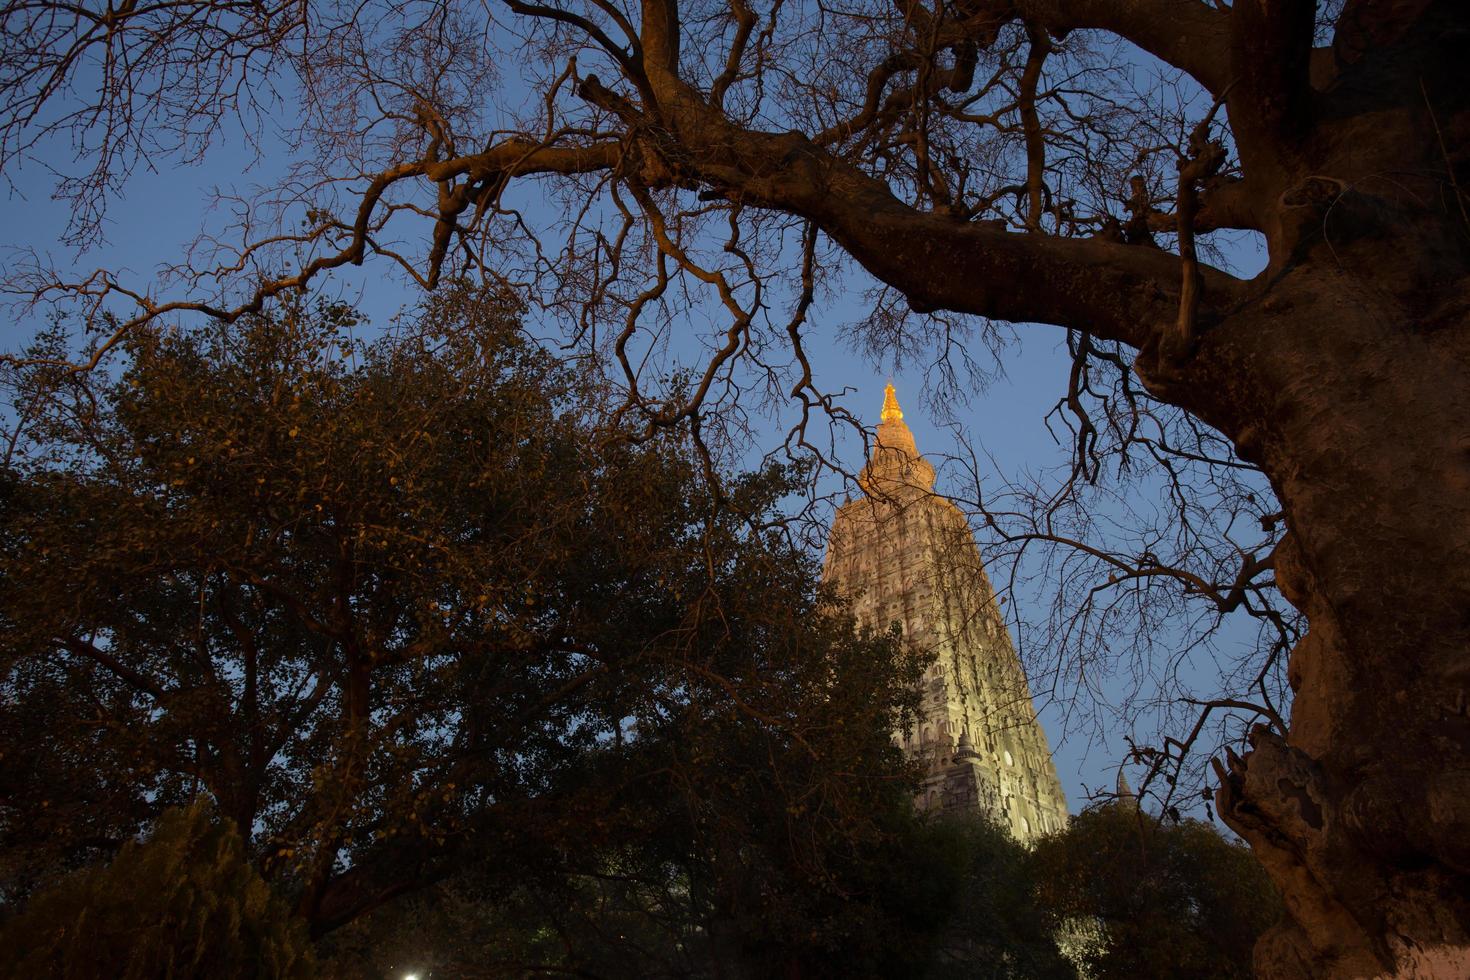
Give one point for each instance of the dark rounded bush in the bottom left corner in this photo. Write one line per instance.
(183, 904)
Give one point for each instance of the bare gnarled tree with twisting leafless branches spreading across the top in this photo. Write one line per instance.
(1059, 162)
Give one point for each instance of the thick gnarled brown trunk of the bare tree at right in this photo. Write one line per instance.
(1353, 393)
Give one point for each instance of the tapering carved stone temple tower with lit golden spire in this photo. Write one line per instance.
(908, 556)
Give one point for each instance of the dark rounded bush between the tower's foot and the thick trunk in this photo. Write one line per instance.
(1141, 898)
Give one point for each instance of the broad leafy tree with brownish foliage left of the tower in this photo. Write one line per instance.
(404, 603)
